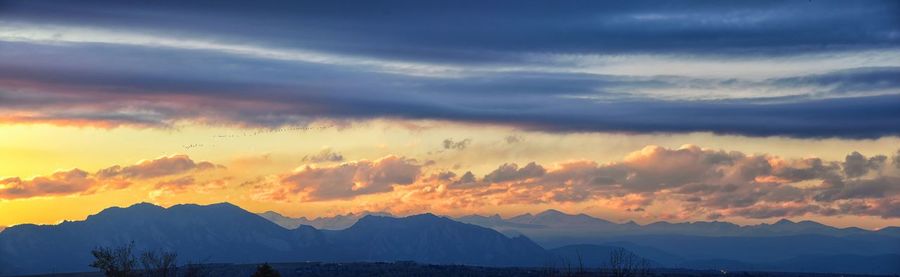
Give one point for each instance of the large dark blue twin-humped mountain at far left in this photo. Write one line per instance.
(214, 233)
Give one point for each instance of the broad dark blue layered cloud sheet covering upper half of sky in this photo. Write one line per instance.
(687, 67)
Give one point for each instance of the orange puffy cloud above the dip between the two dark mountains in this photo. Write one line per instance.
(351, 179)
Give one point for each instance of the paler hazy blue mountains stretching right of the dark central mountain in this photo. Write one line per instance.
(708, 245)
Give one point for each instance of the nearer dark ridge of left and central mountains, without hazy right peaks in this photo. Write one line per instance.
(226, 233)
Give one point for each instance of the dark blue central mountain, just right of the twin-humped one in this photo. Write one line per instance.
(431, 239)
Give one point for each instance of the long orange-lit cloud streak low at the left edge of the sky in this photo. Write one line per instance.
(78, 182)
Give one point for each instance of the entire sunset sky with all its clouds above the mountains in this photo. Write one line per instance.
(739, 111)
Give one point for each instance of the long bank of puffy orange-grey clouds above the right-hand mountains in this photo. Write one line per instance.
(689, 182)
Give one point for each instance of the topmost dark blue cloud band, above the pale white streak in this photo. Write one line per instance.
(496, 31)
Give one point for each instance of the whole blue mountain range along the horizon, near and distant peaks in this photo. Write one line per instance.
(224, 233)
